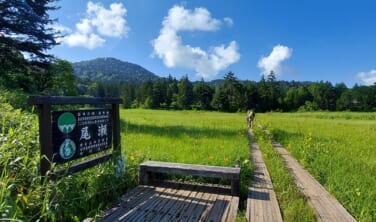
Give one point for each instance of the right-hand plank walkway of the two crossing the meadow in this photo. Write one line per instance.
(327, 208)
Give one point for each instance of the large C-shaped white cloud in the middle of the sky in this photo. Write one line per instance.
(169, 46)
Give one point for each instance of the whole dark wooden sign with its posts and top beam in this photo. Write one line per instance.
(68, 135)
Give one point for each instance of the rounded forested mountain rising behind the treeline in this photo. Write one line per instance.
(111, 70)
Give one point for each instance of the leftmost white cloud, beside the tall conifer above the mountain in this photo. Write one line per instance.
(98, 22)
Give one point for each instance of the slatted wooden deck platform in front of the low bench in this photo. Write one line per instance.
(172, 201)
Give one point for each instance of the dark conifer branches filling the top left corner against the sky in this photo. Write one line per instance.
(25, 27)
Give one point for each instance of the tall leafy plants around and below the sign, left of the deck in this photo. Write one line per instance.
(26, 196)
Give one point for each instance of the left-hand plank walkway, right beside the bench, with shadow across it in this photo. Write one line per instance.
(262, 204)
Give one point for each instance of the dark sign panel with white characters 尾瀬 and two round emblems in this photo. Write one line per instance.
(79, 133)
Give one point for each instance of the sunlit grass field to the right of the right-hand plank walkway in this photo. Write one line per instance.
(339, 150)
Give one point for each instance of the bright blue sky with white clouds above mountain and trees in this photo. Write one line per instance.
(301, 40)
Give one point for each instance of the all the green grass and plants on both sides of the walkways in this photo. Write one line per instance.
(337, 148)
